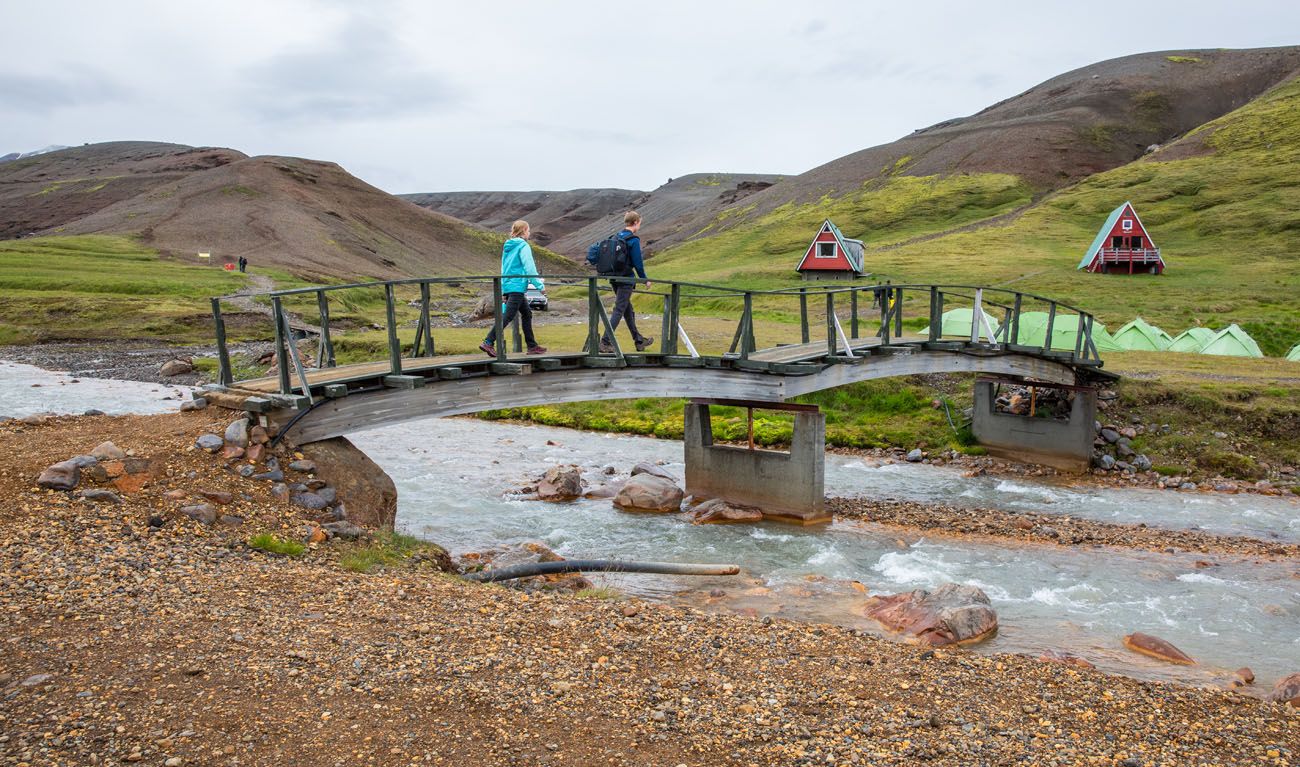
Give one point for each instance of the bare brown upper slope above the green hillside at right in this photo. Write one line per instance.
(1065, 129)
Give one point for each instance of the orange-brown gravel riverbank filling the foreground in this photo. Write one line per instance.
(177, 644)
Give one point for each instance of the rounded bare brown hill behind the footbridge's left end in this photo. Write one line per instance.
(310, 218)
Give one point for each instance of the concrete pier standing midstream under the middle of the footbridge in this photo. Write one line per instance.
(788, 487)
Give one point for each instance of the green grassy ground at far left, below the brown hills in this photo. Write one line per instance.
(102, 287)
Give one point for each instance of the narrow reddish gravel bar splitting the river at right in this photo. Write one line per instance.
(1046, 528)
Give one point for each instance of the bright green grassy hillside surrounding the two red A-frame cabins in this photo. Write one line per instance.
(1223, 203)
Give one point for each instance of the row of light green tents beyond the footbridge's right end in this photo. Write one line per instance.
(1137, 336)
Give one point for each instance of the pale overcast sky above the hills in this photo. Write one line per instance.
(502, 96)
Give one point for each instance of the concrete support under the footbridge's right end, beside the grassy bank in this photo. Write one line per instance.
(1063, 445)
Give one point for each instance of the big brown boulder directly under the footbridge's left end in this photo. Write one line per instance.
(369, 492)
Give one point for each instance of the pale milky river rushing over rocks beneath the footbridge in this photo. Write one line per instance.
(457, 482)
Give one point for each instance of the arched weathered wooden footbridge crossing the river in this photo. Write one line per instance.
(786, 344)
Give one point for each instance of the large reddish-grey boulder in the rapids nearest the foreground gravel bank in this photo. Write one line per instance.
(951, 614)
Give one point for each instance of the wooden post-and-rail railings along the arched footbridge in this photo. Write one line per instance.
(844, 318)
